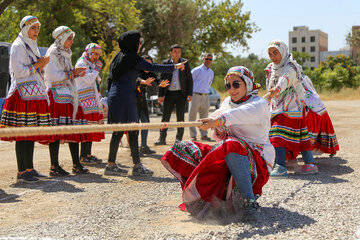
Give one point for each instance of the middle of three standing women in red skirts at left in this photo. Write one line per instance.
(64, 104)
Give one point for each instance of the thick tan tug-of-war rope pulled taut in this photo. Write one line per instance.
(76, 129)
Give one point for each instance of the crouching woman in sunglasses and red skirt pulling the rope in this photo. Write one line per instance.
(244, 152)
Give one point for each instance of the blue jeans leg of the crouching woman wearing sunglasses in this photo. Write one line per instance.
(240, 170)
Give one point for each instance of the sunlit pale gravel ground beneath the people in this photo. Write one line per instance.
(94, 206)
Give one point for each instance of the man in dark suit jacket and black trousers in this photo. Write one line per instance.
(176, 94)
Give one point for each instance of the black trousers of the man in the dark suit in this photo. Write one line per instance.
(172, 99)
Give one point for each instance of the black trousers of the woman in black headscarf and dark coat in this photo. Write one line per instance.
(133, 142)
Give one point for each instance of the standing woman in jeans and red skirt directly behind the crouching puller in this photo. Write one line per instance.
(289, 133)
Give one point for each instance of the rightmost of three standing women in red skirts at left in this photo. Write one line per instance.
(89, 97)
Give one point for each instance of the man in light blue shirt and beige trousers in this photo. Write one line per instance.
(203, 77)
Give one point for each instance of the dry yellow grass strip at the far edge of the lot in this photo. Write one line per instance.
(344, 94)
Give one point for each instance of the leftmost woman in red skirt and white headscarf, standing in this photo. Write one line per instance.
(27, 103)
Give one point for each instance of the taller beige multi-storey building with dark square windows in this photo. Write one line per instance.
(301, 39)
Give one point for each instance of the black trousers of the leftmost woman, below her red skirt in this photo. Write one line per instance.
(24, 155)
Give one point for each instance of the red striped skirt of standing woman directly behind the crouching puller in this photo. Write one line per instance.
(291, 133)
